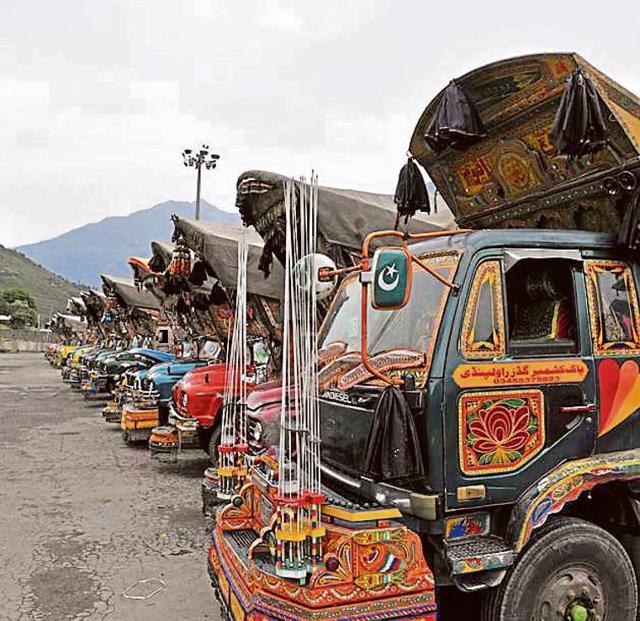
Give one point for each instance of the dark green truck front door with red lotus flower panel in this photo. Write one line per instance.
(519, 387)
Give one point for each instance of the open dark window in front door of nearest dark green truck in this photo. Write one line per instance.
(541, 307)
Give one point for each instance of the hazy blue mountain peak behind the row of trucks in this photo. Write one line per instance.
(103, 247)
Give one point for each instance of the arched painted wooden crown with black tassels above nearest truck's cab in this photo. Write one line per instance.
(519, 175)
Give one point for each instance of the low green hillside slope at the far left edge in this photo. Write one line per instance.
(49, 290)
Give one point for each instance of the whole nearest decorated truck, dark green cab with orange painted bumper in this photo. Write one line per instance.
(477, 390)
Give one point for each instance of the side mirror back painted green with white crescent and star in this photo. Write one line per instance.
(391, 274)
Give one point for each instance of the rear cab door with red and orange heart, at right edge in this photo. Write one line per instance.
(615, 330)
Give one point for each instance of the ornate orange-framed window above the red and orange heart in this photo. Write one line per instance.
(613, 307)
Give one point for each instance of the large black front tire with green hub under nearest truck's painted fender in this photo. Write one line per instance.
(573, 570)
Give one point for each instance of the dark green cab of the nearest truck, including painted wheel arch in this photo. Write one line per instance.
(521, 381)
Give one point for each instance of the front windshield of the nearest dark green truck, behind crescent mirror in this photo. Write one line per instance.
(412, 327)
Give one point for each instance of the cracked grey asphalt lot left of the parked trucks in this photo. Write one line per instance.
(84, 516)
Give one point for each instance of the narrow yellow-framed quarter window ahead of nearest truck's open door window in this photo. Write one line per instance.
(483, 333)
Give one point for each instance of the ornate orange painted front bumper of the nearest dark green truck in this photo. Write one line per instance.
(373, 566)
